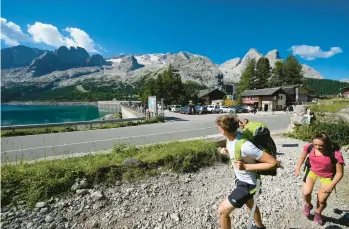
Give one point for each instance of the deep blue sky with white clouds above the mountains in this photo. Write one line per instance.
(218, 29)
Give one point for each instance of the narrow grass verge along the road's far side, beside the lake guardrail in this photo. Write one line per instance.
(22, 132)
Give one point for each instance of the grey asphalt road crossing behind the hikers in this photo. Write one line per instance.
(181, 127)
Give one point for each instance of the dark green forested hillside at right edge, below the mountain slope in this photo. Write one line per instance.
(325, 86)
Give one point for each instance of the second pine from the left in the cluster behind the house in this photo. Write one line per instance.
(262, 73)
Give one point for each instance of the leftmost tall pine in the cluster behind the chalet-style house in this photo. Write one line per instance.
(247, 78)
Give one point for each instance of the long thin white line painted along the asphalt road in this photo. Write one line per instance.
(109, 139)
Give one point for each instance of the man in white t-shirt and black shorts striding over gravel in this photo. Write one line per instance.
(248, 159)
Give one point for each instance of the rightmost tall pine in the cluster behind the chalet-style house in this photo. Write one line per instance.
(293, 71)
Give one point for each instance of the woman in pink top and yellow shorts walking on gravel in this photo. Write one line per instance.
(323, 161)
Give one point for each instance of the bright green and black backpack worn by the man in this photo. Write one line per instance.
(259, 134)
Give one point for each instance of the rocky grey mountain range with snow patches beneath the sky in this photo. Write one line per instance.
(69, 66)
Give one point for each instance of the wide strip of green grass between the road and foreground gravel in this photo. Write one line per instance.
(42, 180)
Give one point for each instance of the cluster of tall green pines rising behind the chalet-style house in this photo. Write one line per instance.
(259, 74)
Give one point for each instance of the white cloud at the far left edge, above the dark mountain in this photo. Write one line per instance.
(12, 33)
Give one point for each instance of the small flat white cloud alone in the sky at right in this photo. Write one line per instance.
(312, 52)
